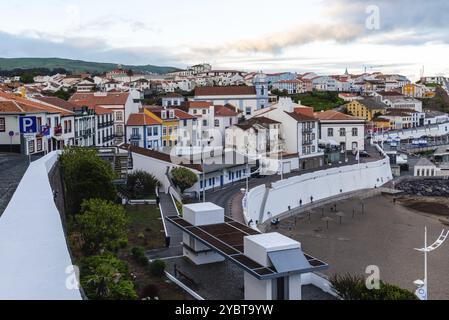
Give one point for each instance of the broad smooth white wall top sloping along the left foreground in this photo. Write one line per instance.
(36, 263)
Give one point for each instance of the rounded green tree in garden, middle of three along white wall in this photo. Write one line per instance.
(102, 225)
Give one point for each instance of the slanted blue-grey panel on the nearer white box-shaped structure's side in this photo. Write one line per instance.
(289, 260)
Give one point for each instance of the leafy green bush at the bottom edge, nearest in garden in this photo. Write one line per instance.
(104, 277)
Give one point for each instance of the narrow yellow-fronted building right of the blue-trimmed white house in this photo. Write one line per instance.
(170, 124)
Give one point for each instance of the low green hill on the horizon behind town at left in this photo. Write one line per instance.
(74, 65)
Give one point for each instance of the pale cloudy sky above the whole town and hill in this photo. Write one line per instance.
(323, 36)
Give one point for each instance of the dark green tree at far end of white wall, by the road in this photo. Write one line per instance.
(86, 176)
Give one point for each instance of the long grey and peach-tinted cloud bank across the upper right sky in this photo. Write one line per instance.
(402, 22)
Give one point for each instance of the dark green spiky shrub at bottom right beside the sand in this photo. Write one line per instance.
(351, 287)
